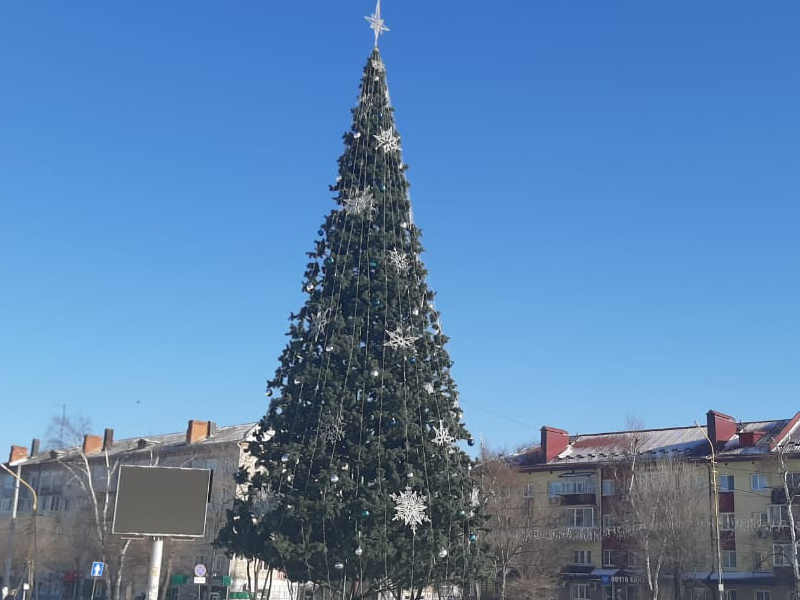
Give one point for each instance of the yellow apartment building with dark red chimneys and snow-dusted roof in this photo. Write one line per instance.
(583, 482)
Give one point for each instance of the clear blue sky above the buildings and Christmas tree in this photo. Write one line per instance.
(609, 195)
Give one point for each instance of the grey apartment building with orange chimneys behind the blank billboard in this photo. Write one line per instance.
(76, 490)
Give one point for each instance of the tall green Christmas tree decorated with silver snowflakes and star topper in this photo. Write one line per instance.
(358, 483)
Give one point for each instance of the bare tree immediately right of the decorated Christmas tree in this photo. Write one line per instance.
(527, 555)
